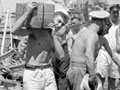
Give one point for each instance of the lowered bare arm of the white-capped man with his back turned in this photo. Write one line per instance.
(90, 53)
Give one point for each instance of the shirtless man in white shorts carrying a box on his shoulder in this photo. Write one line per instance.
(38, 74)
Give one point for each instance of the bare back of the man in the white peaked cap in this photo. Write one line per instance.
(82, 43)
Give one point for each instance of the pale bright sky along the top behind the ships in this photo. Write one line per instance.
(11, 4)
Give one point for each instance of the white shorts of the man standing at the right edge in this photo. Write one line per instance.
(105, 65)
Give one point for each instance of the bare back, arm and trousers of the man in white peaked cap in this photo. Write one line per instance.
(83, 56)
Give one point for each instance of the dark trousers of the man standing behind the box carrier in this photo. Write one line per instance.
(60, 69)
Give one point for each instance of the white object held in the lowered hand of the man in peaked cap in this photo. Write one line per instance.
(85, 83)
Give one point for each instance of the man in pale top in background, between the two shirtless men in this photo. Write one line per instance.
(74, 29)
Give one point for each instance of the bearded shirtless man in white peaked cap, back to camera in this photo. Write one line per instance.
(86, 48)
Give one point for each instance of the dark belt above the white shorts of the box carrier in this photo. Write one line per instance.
(28, 66)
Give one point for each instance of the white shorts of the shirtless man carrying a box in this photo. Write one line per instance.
(39, 79)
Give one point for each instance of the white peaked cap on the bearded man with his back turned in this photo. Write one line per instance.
(100, 14)
